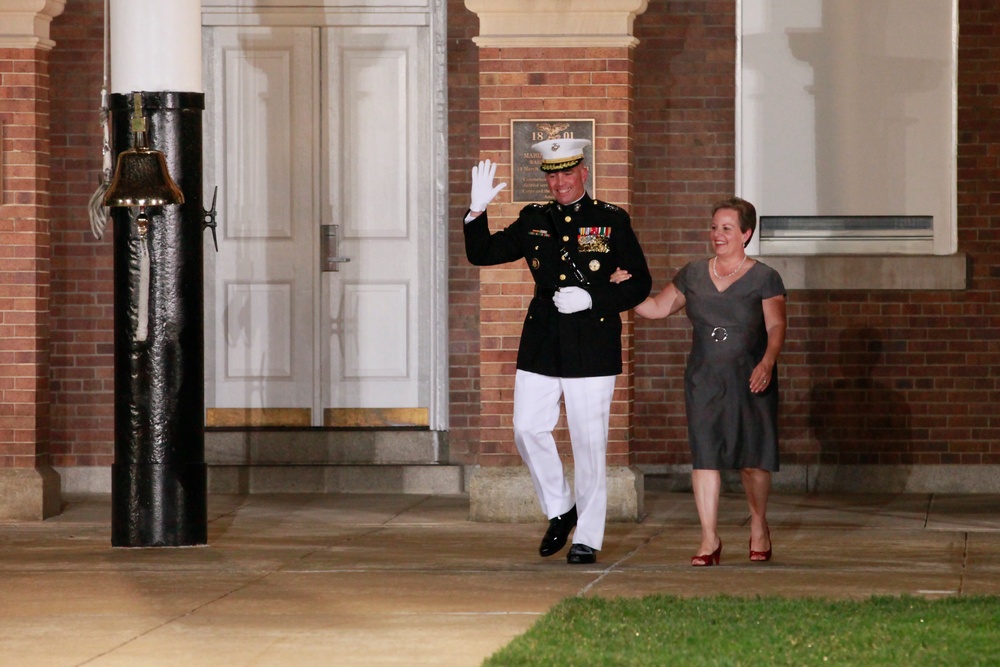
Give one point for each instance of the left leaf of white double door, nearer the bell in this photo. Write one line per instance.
(261, 306)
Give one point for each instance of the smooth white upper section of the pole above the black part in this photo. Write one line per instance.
(156, 45)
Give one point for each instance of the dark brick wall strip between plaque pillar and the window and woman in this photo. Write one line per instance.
(685, 148)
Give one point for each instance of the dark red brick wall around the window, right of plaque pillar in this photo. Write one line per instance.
(867, 377)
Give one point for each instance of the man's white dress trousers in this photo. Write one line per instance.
(588, 411)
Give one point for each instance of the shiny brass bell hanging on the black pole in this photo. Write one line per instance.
(142, 179)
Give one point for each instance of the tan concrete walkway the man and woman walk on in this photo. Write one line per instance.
(408, 580)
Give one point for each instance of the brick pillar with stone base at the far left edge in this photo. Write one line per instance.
(29, 487)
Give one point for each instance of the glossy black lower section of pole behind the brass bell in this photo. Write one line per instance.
(159, 480)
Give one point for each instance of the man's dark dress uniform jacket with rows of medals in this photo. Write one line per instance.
(599, 239)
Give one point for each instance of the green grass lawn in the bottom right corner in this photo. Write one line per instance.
(728, 631)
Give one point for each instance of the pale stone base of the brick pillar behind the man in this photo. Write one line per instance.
(506, 495)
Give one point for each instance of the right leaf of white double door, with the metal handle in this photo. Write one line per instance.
(375, 305)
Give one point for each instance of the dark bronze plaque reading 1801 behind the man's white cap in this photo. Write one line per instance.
(528, 180)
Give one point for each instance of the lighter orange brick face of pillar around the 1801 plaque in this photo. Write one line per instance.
(546, 83)
